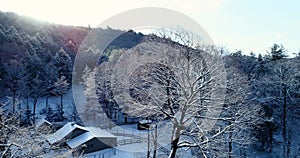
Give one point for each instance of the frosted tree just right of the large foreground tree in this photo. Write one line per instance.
(239, 110)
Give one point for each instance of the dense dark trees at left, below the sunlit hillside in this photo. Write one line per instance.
(33, 78)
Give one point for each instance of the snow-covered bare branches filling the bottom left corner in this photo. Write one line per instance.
(16, 141)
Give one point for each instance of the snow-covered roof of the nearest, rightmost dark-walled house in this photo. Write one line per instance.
(93, 132)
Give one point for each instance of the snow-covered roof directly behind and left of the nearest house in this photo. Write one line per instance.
(63, 132)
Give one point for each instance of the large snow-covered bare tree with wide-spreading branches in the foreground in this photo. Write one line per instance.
(187, 85)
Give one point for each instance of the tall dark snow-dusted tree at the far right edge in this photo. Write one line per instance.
(282, 95)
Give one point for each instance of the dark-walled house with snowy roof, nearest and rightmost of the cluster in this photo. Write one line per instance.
(94, 139)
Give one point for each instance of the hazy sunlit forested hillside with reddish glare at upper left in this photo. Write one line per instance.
(19, 33)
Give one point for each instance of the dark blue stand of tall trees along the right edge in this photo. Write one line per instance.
(274, 83)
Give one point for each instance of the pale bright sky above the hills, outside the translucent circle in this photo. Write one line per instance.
(237, 24)
